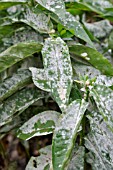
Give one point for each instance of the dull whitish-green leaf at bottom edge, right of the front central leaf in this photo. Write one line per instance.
(77, 160)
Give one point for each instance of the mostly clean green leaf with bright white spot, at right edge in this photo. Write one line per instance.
(93, 57)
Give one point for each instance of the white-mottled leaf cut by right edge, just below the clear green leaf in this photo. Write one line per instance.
(103, 97)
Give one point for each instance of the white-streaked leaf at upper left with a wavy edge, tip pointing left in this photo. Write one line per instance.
(38, 21)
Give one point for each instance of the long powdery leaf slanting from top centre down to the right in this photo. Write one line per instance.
(65, 18)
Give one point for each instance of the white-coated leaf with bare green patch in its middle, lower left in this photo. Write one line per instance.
(41, 124)
